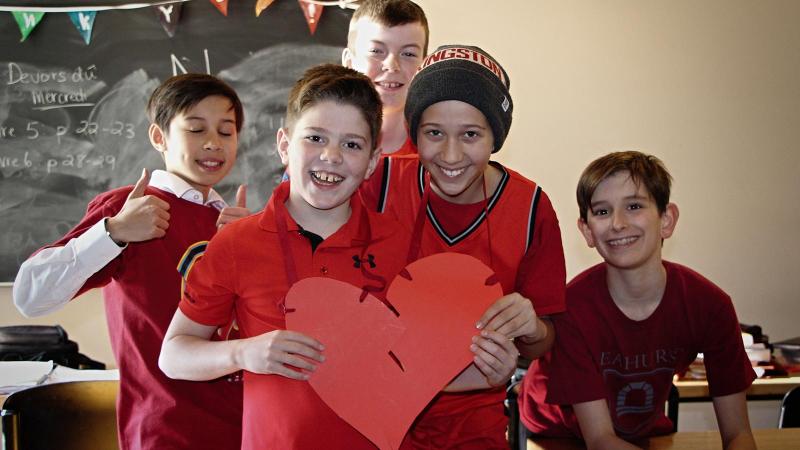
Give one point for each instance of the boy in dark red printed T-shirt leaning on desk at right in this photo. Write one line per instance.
(634, 321)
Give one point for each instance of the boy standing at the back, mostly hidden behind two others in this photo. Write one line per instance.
(386, 42)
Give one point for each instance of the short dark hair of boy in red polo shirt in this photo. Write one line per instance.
(332, 82)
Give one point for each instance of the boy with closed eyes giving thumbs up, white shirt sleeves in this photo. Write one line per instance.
(130, 243)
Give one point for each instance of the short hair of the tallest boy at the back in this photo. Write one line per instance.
(390, 13)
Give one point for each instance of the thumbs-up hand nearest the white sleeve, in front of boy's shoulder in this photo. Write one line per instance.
(143, 217)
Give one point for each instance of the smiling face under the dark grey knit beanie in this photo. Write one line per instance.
(454, 142)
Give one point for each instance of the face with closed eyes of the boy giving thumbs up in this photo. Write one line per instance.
(200, 145)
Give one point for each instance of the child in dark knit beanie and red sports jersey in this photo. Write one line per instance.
(459, 112)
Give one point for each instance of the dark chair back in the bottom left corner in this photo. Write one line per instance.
(66, 416)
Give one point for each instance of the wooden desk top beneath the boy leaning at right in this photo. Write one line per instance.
(766, 439)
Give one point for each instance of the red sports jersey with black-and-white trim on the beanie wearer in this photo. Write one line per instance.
(516, 233)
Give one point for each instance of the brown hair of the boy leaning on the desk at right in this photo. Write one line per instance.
(643, 169)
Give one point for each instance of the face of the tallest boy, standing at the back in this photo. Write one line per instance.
(389, 56)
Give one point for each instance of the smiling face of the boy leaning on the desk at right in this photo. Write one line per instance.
(625, 225)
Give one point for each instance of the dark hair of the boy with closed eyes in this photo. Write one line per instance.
(181, 92)
